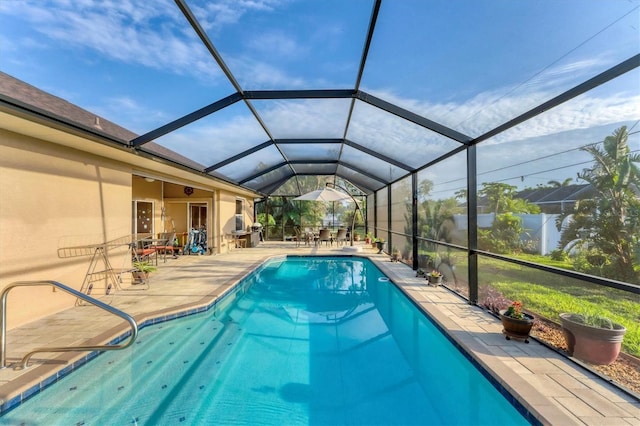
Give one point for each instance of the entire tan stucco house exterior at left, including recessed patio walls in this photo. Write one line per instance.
(55, 196)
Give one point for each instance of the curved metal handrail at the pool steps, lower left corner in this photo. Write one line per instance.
(25, 360)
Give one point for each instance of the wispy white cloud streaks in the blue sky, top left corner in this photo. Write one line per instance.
(146, 33)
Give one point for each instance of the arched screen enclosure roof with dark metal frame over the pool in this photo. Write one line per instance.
(271, 94)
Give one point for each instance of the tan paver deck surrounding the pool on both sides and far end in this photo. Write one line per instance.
(554, 389)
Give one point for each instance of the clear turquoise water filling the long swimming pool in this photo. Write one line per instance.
(309, 341)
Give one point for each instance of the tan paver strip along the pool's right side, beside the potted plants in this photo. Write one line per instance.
(506, 360)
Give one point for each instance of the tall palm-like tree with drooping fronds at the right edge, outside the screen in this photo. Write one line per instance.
(610, 222)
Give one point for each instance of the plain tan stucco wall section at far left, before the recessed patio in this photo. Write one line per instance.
(54, 197)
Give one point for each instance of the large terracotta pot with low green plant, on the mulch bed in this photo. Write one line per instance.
(592, 338)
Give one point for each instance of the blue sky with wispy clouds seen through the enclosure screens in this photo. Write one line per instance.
(470, 65)
